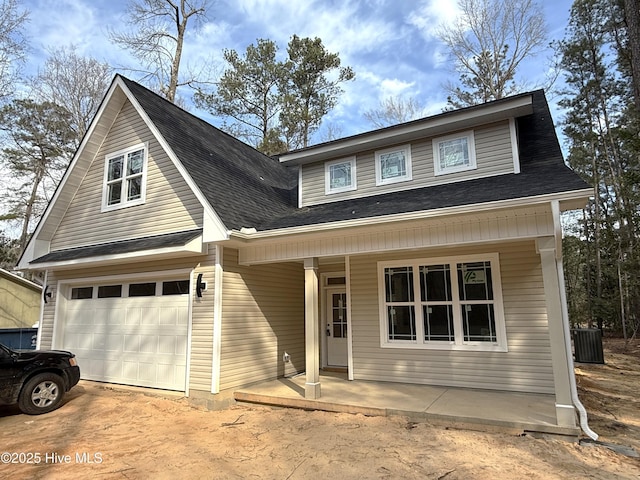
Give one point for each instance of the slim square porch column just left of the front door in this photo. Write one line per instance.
(311, 329)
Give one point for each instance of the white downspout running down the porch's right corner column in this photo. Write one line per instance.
(582, 412)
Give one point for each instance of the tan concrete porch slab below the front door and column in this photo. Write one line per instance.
(464, 408)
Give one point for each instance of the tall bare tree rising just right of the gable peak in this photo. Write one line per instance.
(157, 38)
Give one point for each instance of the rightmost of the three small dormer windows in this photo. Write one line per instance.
(454, 153)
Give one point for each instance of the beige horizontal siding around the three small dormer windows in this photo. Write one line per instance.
(493, 157)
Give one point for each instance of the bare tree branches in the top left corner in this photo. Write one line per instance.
(13, 44)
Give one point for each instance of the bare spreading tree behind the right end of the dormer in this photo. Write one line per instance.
(487, 43)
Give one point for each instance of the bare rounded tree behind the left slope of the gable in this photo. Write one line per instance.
(74, 82)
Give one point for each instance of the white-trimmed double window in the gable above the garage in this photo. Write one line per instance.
(125, 178)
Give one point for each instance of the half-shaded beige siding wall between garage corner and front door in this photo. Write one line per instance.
(262, 318)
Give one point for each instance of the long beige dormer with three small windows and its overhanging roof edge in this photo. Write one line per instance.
(470, 143)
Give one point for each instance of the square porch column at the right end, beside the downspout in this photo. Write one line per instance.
(565, 413)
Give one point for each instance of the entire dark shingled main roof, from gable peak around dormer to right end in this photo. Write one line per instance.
(249, 189)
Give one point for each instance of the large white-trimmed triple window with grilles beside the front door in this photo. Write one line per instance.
(450, 303)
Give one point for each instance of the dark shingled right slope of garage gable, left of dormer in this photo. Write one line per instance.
(242, 185)
